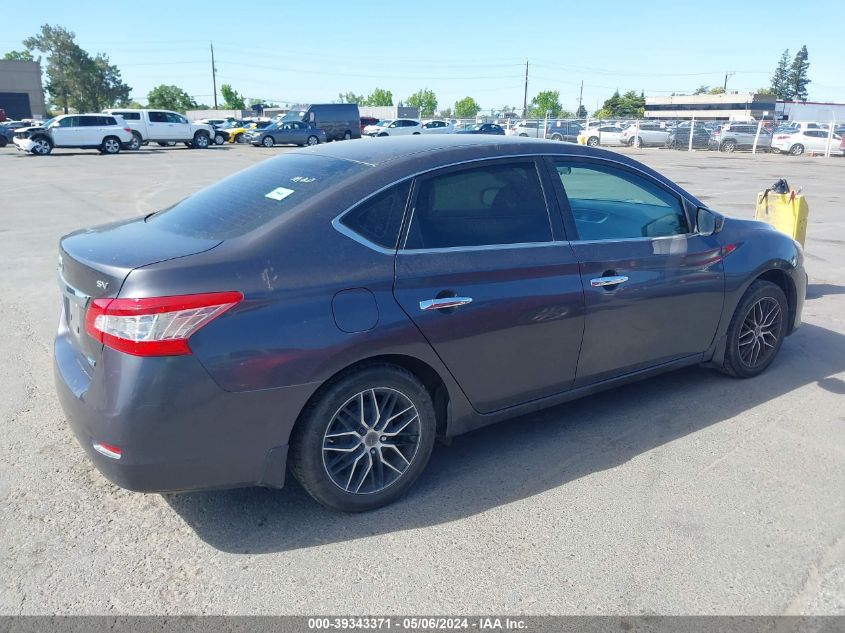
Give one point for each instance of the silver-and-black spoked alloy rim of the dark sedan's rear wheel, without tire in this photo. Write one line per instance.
(371, 441)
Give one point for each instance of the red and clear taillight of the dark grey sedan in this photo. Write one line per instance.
(155, 326)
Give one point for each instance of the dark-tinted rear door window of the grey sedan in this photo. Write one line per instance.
(493, 204)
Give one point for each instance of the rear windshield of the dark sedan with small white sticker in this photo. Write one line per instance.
(250, 199)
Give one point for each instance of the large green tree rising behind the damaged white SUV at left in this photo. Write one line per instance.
(74, 78)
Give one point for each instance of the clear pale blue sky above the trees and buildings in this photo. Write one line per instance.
(286, 52)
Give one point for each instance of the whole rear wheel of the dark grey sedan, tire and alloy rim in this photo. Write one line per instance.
(365, 439)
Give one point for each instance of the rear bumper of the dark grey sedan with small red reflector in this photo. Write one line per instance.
(176, 429)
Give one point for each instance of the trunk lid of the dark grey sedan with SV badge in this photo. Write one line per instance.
(93, 264)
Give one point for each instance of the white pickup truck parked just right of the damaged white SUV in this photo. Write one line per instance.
(163, 127)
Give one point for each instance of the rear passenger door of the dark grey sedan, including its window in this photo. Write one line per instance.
(485, 275)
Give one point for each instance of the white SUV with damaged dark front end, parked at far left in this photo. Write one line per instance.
(109, 134)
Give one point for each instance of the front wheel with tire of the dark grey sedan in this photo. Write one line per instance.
(756, 331)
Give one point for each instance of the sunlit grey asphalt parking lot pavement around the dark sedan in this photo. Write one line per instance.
(686, 493)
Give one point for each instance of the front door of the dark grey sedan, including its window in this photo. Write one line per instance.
(653, 289)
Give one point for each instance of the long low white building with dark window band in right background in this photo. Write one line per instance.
(732, 106)
